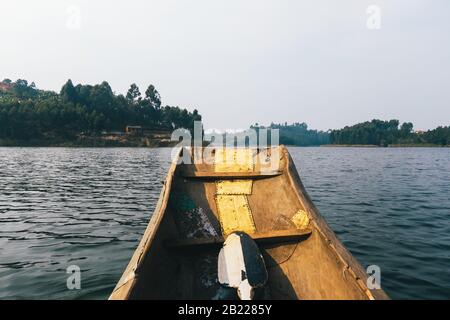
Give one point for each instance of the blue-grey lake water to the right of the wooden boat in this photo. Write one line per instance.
(390, 207)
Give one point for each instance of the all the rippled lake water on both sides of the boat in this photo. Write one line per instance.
(89, 207)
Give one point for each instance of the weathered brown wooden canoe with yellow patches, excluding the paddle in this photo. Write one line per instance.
(201, 204)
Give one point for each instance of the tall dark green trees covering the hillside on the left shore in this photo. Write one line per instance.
(30, 114)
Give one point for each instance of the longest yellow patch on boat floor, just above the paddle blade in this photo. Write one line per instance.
(234, 214)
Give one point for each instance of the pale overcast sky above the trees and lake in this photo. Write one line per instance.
(244, 61)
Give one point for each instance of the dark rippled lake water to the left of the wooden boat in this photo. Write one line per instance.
(60, 207)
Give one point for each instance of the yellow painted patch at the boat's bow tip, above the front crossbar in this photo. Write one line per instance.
(233, 160)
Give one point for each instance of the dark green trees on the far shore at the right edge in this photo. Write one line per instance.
(389, 133)
